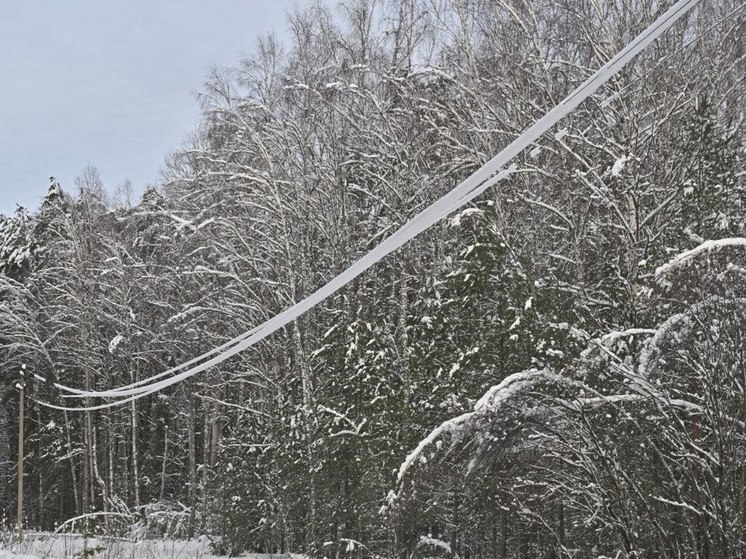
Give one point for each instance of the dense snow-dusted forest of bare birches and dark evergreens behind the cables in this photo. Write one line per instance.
(619, 426)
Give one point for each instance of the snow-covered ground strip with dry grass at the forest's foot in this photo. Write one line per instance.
(46, 546)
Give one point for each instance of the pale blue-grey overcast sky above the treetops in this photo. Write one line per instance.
(112, 84)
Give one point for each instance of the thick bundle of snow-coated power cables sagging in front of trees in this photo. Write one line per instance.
(462, 194)
